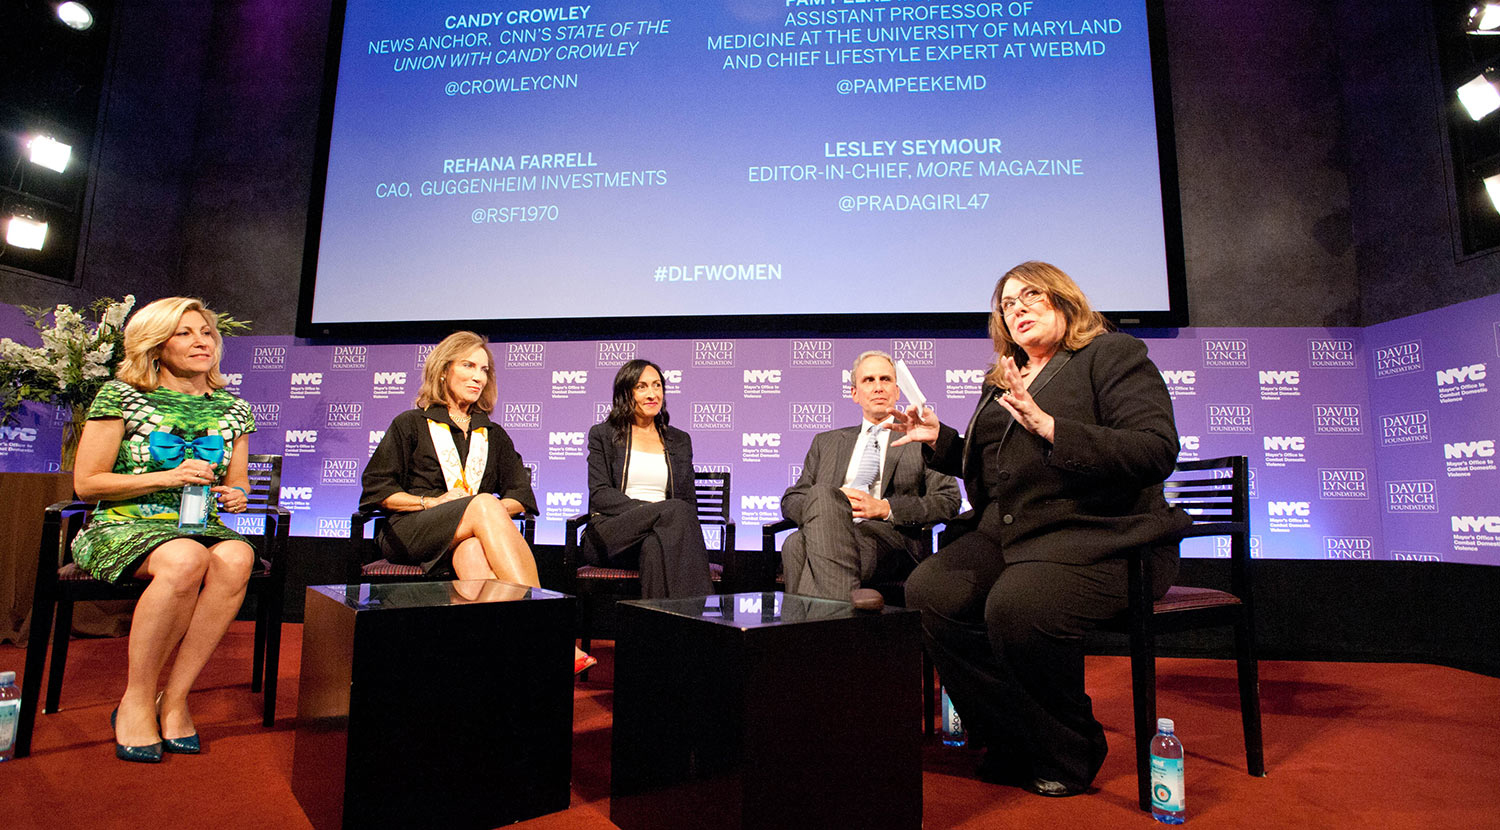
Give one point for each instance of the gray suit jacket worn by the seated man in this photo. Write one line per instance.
(919, 496)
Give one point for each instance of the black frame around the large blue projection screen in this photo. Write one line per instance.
(736, 325)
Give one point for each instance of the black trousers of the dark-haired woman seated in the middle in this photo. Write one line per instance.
(664, 541)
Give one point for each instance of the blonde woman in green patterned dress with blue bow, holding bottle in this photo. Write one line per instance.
(163, 424)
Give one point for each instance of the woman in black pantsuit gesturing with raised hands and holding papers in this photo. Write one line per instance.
(1063, 462)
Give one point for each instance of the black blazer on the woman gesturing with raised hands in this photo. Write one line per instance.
(1094, 493)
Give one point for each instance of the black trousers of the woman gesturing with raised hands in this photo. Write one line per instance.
(1009, 645)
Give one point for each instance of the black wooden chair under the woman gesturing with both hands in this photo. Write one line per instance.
(1216, 493)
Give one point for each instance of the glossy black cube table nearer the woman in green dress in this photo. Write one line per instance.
(434, 705)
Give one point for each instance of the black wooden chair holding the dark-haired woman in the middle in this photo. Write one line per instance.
(595, 585)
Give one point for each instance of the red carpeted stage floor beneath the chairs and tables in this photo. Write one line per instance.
(1348, 745)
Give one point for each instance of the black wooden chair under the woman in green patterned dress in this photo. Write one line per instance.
(61, 585)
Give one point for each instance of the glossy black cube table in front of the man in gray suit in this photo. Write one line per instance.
(766, 711)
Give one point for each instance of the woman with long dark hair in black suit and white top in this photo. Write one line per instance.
(641, 501)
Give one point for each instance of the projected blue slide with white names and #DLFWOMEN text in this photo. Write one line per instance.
(530, 160)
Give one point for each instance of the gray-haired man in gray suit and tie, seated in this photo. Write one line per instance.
(860, 505)
